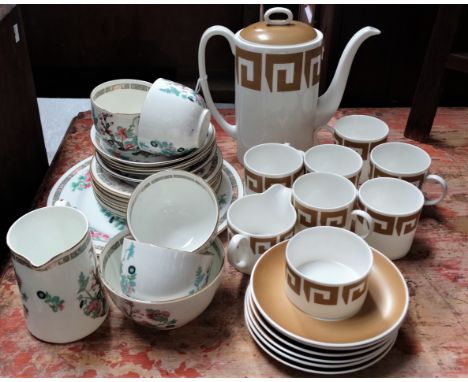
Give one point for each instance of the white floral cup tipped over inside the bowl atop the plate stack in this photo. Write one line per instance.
(174, 120)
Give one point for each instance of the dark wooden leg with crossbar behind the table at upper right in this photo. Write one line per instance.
(439, 58)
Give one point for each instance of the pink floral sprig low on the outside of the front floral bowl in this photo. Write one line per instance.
(155, 318)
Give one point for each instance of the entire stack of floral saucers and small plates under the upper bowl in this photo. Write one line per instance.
(115, 173)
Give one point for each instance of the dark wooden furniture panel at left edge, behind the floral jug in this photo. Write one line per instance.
(23, 158)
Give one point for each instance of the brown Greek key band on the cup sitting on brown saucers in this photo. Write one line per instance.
(322, 294)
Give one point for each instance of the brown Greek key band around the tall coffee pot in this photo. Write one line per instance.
(283, 72)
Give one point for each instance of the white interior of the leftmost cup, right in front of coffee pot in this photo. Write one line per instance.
(273, 159)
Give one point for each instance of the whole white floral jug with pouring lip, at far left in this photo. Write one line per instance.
(56, 270)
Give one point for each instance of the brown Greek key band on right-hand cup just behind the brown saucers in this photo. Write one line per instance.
(388, 225)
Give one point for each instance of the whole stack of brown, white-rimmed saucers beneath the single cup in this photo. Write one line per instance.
(324, 347)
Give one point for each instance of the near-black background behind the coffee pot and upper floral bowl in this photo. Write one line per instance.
(75, 47)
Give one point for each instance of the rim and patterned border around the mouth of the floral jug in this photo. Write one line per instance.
(57, 259)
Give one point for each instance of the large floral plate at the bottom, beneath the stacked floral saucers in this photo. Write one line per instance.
(75, 187)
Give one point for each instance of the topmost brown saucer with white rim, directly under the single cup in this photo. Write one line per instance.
(382, 313)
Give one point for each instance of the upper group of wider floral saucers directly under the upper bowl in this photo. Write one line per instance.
(133, 167)
